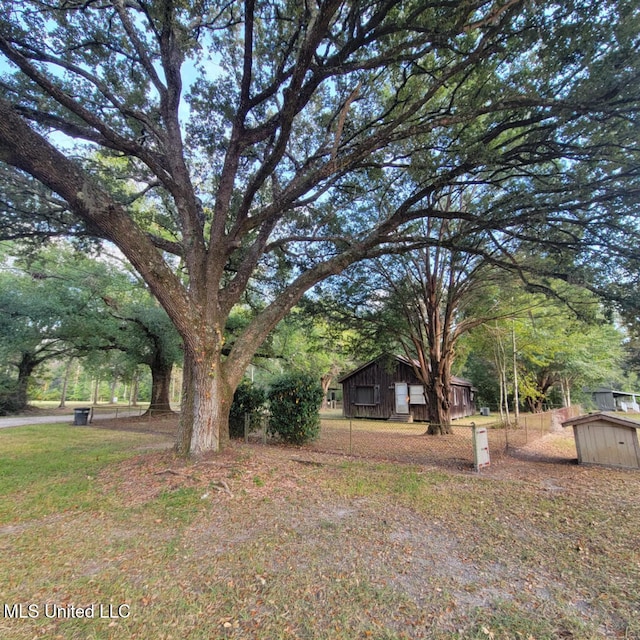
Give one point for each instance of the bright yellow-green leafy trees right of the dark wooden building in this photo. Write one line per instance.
(563, 344)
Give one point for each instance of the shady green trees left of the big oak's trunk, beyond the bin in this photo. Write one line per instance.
(57, 303)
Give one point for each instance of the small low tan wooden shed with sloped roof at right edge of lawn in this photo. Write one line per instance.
(606, 439)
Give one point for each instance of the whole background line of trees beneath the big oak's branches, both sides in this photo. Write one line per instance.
(72, 322)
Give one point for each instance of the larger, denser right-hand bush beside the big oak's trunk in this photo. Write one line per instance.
(294, 402)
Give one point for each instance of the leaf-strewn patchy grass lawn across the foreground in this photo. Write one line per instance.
(267, 542)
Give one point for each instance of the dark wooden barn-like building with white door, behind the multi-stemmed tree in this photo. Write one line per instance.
(388, 388)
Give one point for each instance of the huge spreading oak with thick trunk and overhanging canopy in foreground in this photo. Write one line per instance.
(279, 138)
